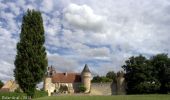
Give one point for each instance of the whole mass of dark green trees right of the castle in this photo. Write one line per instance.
(147, 75)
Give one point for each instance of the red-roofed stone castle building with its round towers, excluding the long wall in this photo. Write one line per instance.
(69, 82)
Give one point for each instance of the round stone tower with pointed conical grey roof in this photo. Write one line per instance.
(86, 78)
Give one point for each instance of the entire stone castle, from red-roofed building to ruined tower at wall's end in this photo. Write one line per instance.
(70, 83)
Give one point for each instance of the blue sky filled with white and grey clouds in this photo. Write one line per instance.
(100, 33)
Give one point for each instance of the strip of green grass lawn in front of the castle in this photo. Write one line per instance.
(118, 97)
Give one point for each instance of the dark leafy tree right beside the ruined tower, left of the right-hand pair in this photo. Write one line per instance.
(139, 77)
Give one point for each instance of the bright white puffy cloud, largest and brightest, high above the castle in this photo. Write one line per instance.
(83, 17)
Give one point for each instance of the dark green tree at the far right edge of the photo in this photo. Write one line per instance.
(161, 71)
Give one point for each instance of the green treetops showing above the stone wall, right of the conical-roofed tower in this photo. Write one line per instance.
(101, 79)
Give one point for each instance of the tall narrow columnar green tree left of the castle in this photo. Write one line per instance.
(31, 61)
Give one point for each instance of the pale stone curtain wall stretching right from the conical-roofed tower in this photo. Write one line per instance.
(103, 89)
